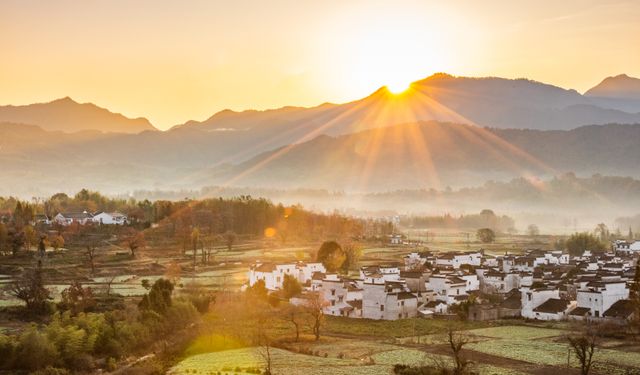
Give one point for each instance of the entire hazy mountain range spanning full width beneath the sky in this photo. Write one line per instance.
(443, 131)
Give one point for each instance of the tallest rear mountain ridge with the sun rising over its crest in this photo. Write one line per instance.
(494, 102)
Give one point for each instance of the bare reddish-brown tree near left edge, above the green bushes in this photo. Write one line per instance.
(30, 289)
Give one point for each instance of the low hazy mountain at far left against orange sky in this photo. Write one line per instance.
(69, 116)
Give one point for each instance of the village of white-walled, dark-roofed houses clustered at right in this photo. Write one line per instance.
(542, 285)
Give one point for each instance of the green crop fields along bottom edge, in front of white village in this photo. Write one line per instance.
(498, 349)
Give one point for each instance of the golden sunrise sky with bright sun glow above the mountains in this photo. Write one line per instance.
(173, 61)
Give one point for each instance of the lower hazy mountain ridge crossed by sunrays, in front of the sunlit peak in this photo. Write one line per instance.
(434, 155)
